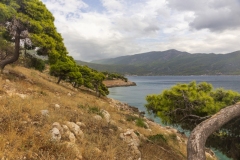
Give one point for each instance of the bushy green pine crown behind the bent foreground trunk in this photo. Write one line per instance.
(187, 105)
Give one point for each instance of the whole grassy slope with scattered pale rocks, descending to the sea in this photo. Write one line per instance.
(42, 120)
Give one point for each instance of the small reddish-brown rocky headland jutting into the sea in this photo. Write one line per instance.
(118, 83)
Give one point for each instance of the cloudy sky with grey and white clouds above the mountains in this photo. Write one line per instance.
(96, 29)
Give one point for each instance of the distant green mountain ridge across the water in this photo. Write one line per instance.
(172, 62)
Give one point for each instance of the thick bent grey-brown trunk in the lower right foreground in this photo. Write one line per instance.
(198, 137)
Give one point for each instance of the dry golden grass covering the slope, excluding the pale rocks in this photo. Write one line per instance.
(24, 132)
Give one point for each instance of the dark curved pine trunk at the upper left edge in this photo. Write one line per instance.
(15, 56)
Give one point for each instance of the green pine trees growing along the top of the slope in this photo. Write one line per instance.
(30, 23)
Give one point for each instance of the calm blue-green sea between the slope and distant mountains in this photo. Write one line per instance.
(147, 85)
